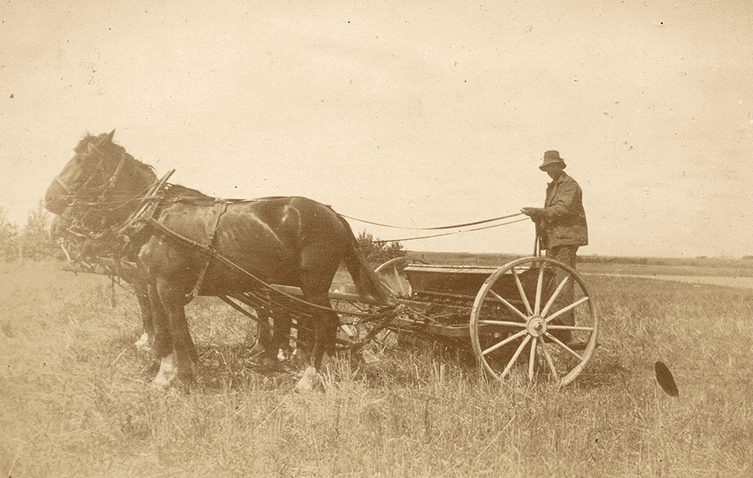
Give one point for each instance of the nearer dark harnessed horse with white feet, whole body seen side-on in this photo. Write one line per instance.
(290, 241)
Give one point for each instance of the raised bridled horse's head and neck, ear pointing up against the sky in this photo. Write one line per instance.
(101, 174)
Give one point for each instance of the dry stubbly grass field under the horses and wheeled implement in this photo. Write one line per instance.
(75, 399)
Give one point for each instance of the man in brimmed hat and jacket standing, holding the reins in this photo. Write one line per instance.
(560, 225)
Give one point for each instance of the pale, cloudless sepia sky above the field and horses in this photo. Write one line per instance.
(408, 113)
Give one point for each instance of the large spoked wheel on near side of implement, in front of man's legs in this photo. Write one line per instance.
(534, 314)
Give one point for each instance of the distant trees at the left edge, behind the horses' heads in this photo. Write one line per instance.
(30, 242)
